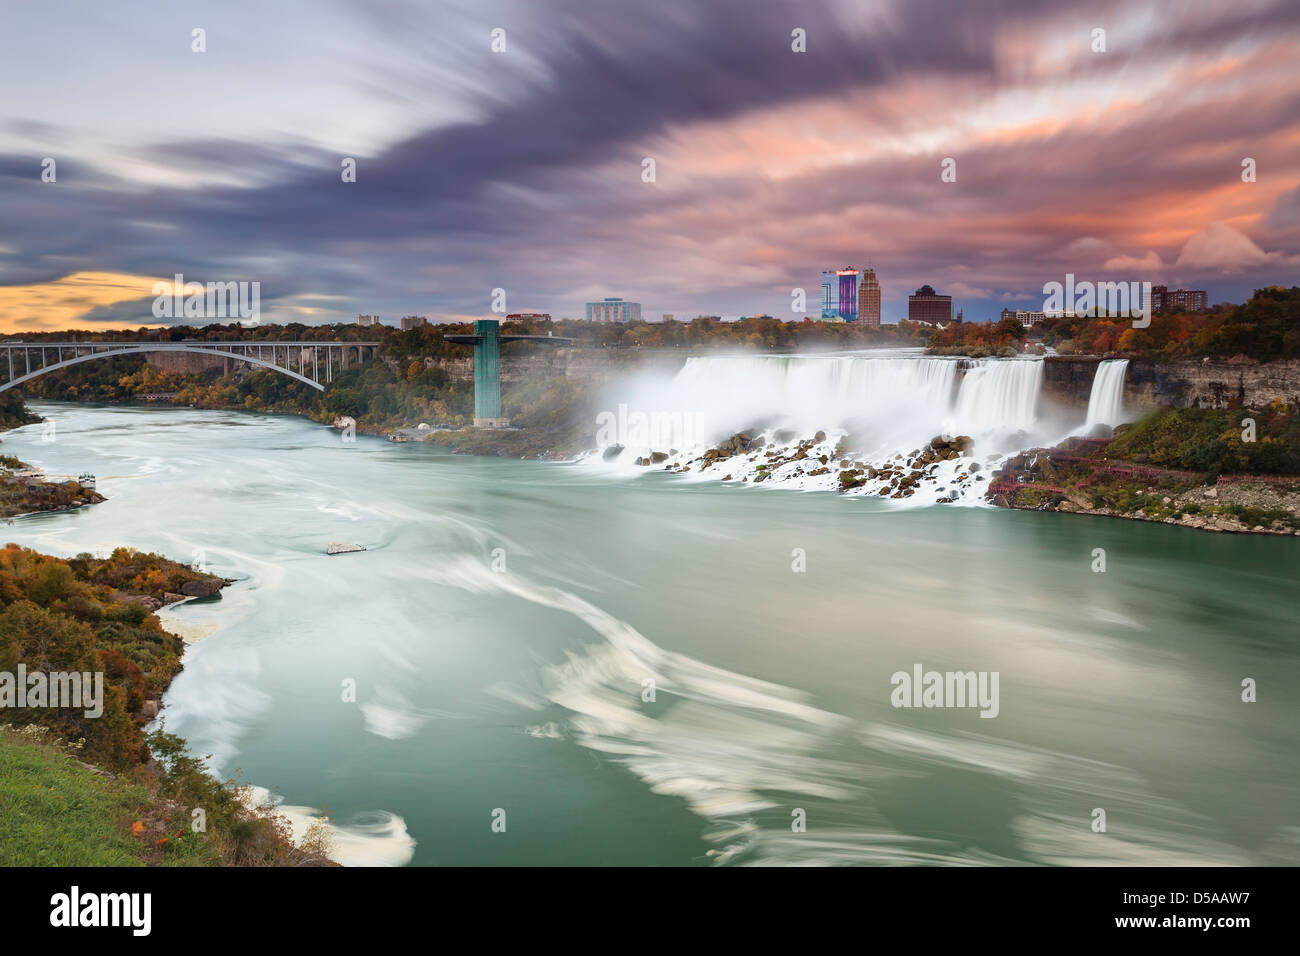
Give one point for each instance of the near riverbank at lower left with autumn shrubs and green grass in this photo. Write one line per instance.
(84, 780)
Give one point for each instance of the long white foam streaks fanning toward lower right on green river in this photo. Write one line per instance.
(739, 751)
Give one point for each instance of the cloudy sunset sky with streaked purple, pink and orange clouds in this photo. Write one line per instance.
(505, 145)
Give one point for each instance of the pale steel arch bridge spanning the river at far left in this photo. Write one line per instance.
(311, 364)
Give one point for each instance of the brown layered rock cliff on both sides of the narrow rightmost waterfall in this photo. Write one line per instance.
(1195, 383)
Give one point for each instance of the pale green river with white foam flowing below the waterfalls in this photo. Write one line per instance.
(558, 664)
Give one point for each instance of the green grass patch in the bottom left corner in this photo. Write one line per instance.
(57, 814)
